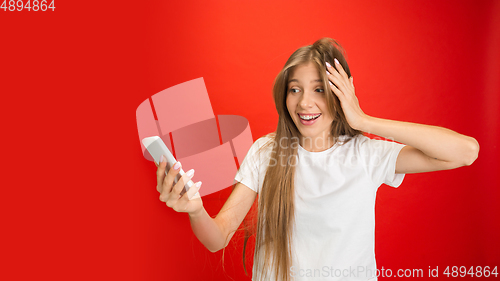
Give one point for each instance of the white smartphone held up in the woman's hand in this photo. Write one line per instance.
(156, 147)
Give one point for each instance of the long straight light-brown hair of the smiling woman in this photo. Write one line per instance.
(273, 256)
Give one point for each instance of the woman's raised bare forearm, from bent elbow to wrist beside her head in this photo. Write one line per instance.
(436, 142)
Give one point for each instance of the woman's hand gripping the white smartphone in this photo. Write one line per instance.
(171, 194)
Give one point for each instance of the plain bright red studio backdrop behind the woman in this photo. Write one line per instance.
(78, 199)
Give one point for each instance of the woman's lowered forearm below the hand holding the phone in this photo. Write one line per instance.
(207, 231)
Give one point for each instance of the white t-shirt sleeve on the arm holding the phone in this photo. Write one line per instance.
(251, 170)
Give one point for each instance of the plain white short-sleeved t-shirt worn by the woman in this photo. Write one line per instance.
(334, 233)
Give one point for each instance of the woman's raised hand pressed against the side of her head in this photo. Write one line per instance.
(343, 87)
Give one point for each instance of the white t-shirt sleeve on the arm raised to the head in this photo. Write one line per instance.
(379, 157)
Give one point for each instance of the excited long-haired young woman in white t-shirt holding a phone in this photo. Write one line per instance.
(317, 175)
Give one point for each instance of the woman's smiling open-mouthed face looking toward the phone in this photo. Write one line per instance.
(306, 103)
